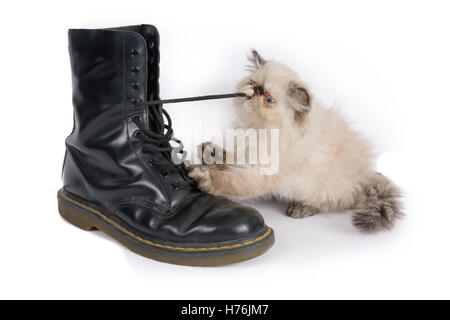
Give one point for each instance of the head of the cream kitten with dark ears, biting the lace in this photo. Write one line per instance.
(275, 90)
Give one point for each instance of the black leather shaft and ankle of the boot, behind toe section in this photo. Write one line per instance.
(111, 70)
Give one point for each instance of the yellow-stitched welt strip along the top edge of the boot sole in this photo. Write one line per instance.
(118, 226)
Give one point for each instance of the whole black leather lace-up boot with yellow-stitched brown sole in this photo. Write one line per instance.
(117, 172)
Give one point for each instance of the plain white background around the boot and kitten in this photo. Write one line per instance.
(386, 63)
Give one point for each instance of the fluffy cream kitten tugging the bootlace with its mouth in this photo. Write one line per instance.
(324, 164)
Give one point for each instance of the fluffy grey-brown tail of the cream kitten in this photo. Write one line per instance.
(378, 205)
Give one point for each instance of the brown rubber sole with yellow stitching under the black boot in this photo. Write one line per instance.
(88, 217)
